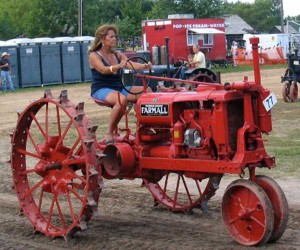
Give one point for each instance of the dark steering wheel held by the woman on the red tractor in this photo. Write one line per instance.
(135, 81)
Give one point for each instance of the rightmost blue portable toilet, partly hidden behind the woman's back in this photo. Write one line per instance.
(85, 43)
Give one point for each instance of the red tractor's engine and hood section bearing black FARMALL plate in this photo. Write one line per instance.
(193, 128)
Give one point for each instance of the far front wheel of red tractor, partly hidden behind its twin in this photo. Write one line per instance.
(279, 203)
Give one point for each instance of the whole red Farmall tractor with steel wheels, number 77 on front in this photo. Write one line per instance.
(184, 142)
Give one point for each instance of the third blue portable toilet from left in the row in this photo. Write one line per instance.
(49, 60)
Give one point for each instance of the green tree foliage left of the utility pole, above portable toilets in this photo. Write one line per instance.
(41, 17)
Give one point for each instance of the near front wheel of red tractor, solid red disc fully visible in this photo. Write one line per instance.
(247, 213)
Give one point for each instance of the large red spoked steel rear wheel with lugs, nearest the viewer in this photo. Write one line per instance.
(53, 164)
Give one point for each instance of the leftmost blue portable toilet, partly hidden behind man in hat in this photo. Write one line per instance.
(12, 49)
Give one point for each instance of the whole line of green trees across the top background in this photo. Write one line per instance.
(52, 18)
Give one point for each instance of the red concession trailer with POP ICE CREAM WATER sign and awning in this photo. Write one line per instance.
(183, 33)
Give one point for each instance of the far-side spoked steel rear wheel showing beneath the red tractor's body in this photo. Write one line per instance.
(180, 193)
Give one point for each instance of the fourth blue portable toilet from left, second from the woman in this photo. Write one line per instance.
(70, 59)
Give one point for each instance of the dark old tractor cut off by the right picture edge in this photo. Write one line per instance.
(291, 78)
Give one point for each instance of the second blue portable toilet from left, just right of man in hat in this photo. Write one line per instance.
(29, 62)
